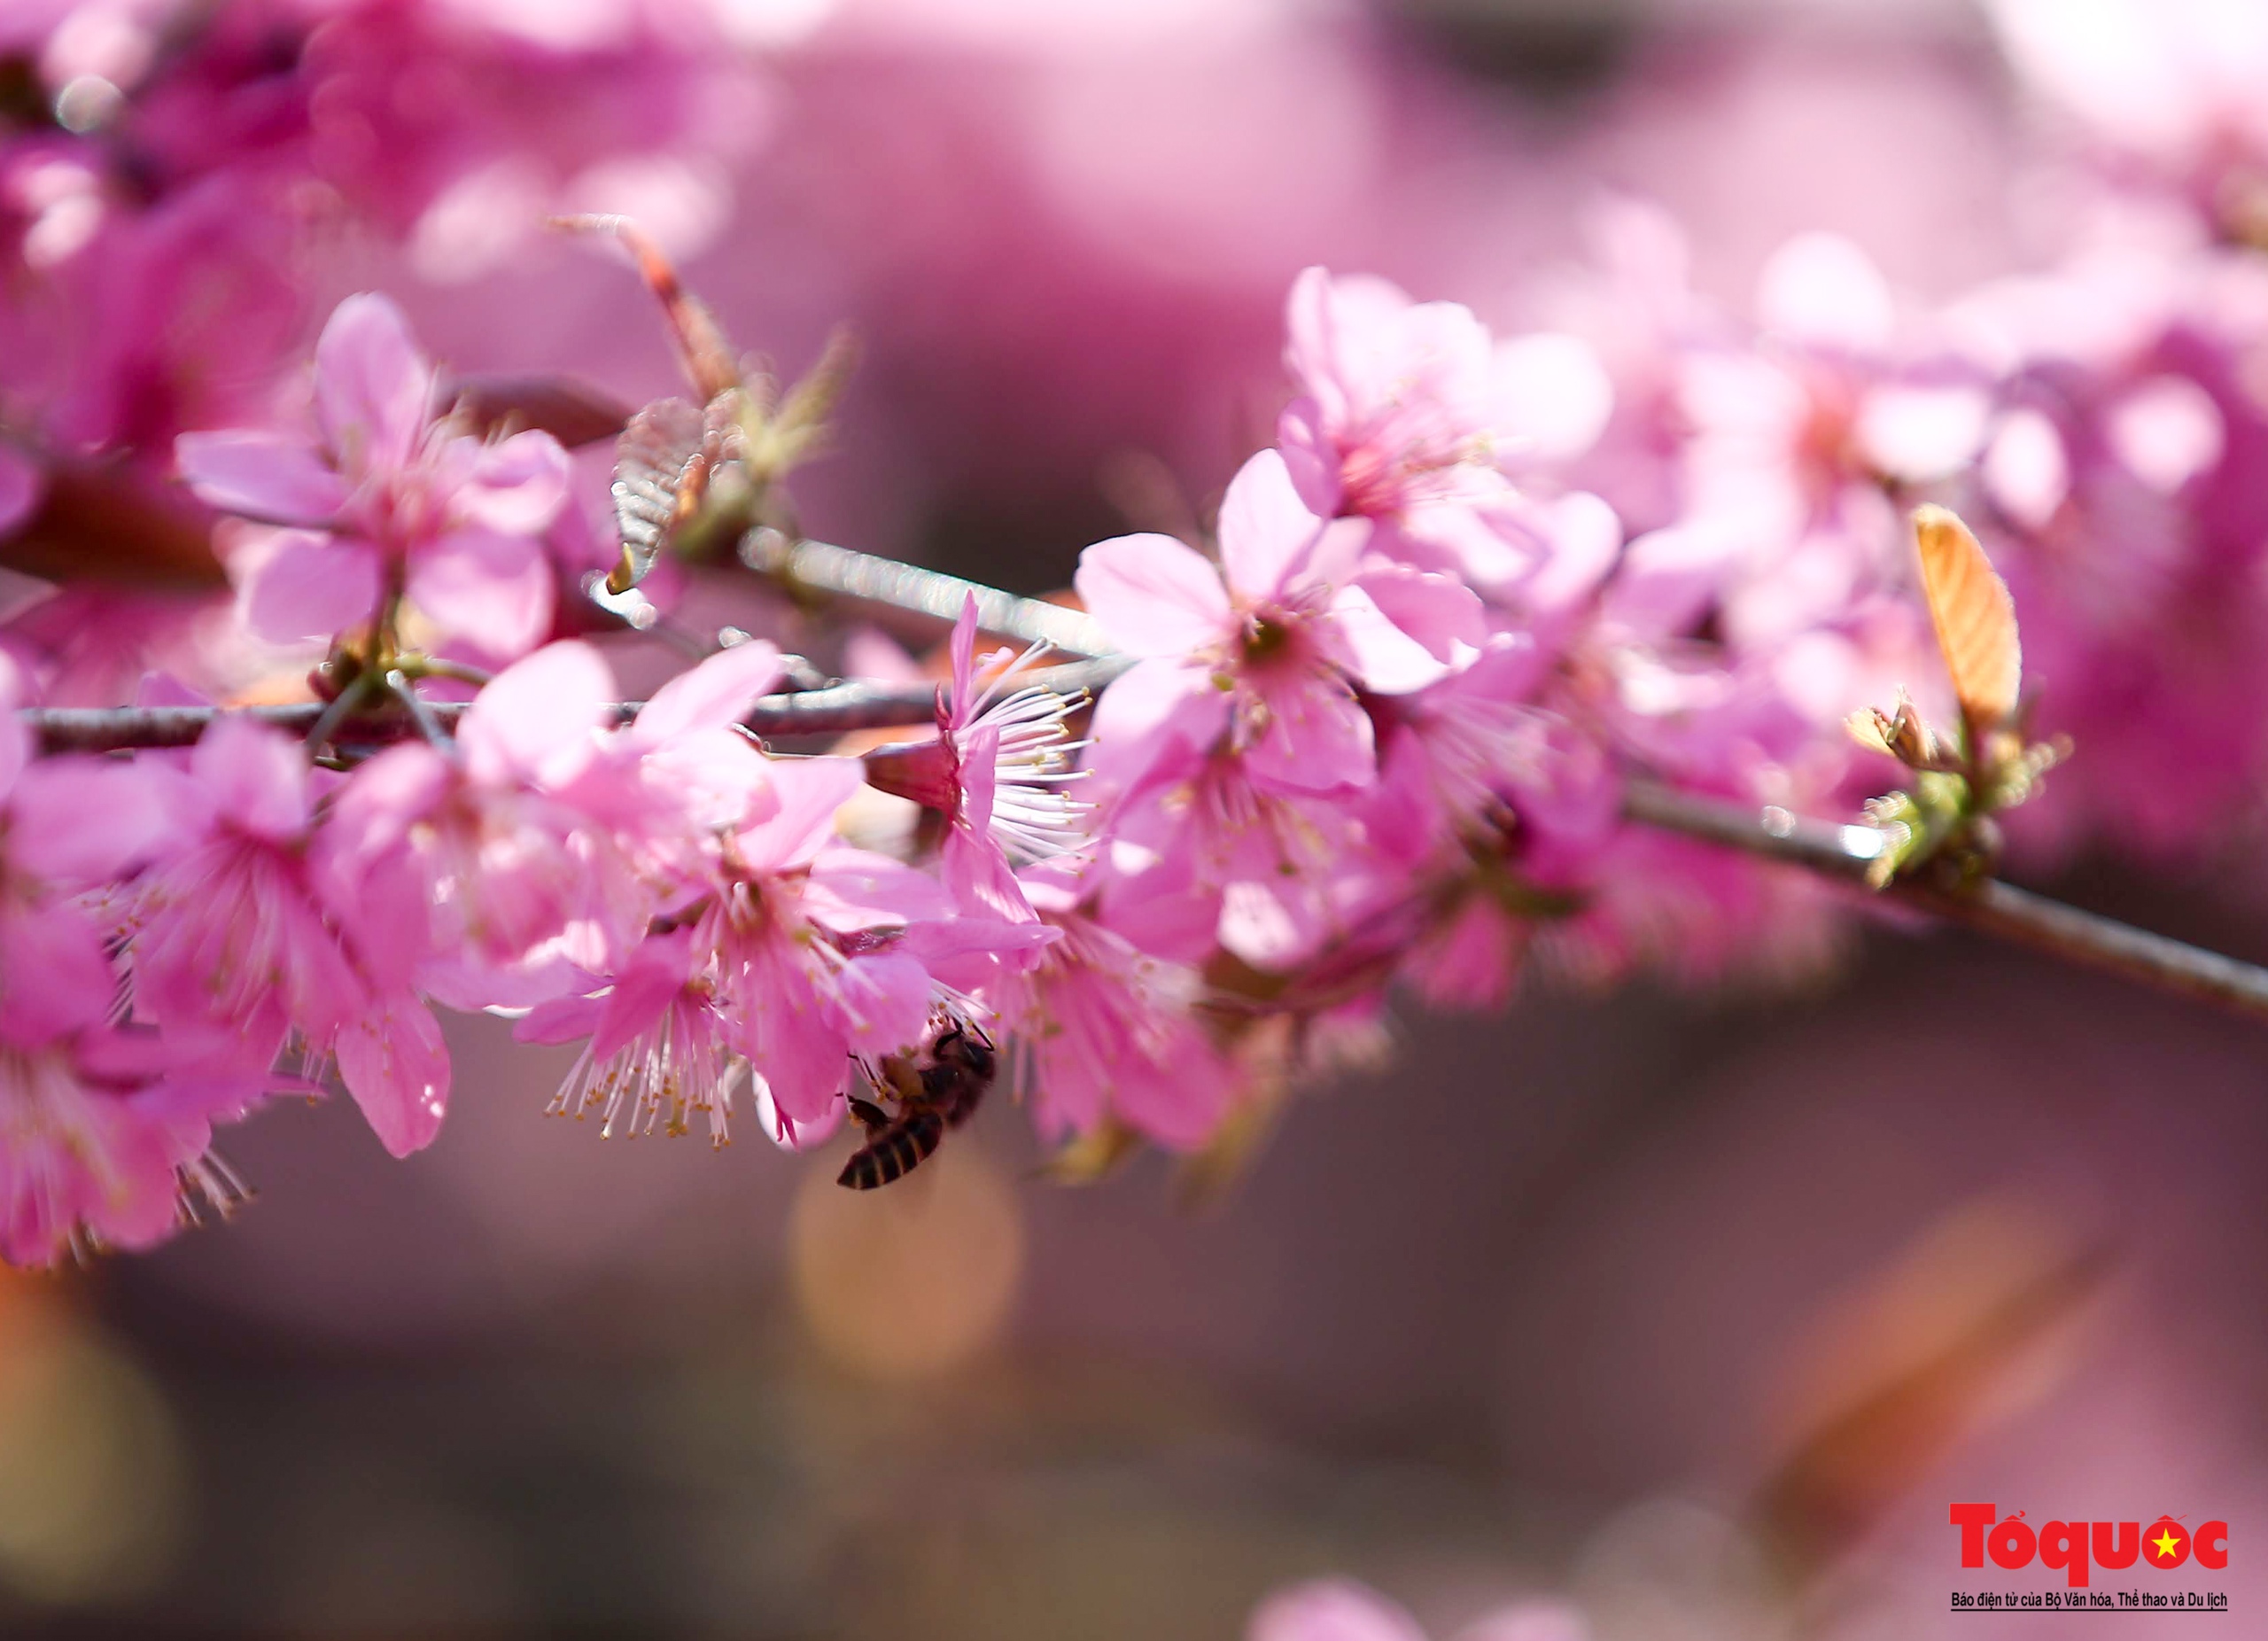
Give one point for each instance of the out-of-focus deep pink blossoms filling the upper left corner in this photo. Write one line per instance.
(178, 187)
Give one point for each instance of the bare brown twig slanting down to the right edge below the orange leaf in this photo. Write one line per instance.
(1990, 907)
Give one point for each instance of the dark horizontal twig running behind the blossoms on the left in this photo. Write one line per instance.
(833, 712)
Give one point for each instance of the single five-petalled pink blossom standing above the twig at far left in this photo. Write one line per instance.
(387, 498)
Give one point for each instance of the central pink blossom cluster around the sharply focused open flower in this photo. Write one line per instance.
(1385, 739)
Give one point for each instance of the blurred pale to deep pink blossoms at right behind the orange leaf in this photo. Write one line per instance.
(2094, 423)
